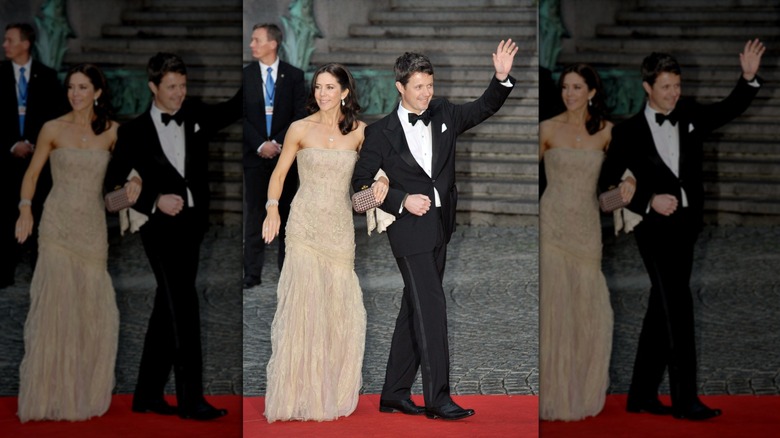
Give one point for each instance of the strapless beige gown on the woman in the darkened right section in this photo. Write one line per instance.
(575, 316)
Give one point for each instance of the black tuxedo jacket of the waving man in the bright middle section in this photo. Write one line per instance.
(385, 147)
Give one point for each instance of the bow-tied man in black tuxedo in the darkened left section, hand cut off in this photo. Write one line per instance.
(168, 147)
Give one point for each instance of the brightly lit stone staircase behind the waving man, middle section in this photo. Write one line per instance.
(497, 170)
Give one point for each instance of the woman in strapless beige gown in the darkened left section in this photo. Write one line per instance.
(71, 331)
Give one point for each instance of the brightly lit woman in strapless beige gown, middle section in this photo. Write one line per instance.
(319, 328)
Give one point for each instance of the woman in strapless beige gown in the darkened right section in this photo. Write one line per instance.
(575, 316)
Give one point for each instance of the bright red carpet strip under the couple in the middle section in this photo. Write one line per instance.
(496, 417)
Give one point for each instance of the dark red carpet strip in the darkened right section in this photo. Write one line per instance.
(743, 416)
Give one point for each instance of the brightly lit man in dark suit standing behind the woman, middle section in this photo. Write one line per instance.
(274, 97)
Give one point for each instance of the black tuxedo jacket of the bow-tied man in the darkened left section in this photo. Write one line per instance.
(138, 147)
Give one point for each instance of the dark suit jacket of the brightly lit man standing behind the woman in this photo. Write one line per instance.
(289, 106)
